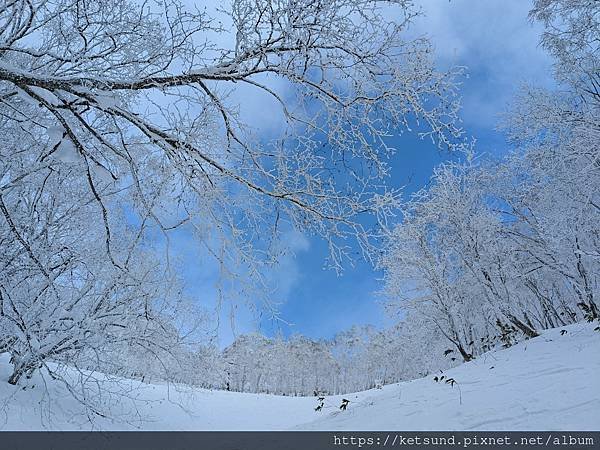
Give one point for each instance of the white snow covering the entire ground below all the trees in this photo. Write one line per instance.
(548, 383)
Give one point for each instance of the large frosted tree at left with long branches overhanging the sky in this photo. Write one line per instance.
(121, 121)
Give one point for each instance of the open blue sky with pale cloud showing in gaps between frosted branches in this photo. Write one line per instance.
(499, 47)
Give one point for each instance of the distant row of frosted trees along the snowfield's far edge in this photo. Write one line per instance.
(357, 359)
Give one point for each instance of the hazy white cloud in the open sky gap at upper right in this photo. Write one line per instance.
(495, 41)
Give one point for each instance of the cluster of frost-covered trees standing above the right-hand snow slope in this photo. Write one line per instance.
(494, 251)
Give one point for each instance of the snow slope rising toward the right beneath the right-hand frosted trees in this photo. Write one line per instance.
(551, 382)
